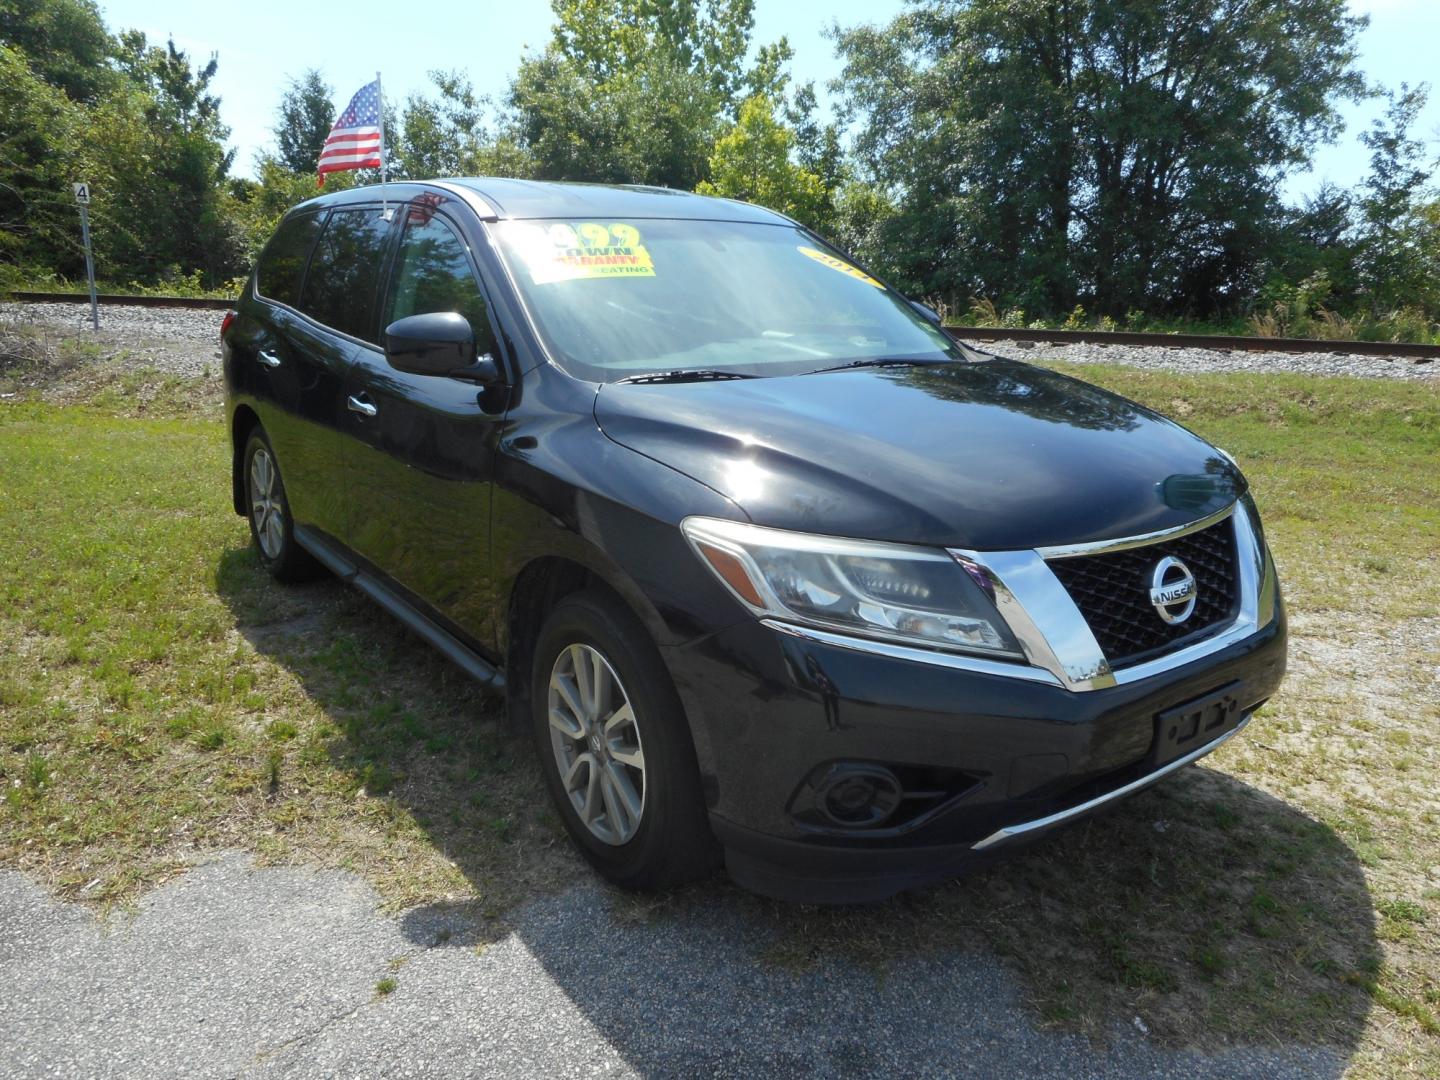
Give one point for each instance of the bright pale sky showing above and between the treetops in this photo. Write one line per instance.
(264, 42)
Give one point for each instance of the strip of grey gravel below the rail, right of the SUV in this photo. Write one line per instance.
(1200, 361)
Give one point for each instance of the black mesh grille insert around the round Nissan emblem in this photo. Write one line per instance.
(1112, 593)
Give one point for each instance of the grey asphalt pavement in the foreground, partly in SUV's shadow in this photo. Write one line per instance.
(243, 971)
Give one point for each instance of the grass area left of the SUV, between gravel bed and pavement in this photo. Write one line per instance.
(163, 698)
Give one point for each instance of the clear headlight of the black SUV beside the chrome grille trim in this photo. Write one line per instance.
(911, 595)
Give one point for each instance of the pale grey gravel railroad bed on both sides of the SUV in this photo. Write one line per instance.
(185, 342)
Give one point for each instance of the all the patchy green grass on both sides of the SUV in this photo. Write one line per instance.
(162, 699)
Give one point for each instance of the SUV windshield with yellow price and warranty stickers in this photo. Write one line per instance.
(623, 299)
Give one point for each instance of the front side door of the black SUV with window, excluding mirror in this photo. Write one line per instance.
(424, 446)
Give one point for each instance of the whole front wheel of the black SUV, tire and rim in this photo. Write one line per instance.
(616, 750)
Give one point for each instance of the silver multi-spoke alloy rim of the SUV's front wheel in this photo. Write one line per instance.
(597, 744)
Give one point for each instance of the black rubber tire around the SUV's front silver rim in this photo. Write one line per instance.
(673, 843)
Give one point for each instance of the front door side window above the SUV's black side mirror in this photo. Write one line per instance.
(433, 274)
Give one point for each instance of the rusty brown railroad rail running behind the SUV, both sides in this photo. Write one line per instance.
(1225, 343)
